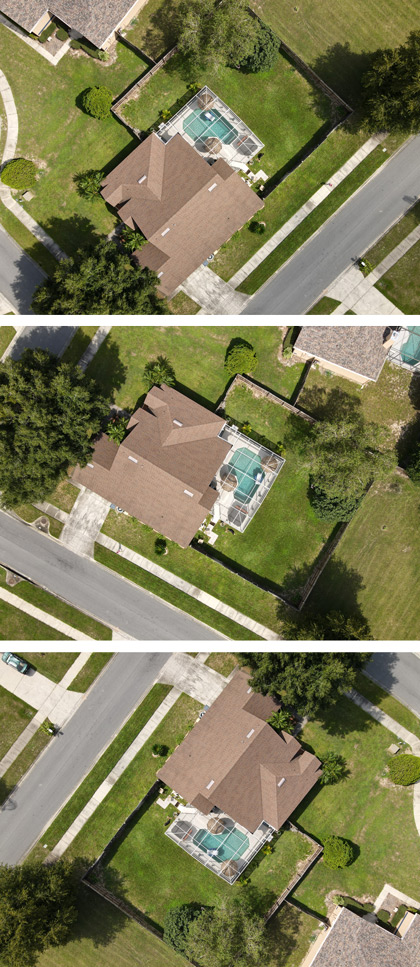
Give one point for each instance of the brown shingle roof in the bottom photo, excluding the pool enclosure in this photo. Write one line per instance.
(234, 761)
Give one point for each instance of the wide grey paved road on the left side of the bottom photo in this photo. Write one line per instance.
(71, 755)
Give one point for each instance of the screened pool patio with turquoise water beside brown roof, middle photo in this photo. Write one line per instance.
(244, 480)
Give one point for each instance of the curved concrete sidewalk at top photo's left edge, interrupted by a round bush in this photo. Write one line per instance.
(8, 154)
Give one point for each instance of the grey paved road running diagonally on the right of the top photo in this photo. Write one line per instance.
(367, 215)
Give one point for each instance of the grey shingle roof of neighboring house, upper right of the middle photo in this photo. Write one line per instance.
(359, 349)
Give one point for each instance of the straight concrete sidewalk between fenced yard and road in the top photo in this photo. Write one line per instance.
(306, 209)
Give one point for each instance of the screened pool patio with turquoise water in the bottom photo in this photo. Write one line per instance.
(216, 841)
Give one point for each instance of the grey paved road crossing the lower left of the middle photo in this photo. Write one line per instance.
(93, 588)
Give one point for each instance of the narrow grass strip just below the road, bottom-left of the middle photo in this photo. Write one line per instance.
(59, 609)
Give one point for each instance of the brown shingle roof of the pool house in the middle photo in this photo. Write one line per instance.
(161, 473)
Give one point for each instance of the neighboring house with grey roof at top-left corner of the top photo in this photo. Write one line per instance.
(96, 20)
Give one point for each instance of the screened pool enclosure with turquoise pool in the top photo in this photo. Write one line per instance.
(213, 129)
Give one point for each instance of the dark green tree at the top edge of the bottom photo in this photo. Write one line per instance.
(307, 681)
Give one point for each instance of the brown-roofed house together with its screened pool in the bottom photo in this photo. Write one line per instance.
(240, 778)
